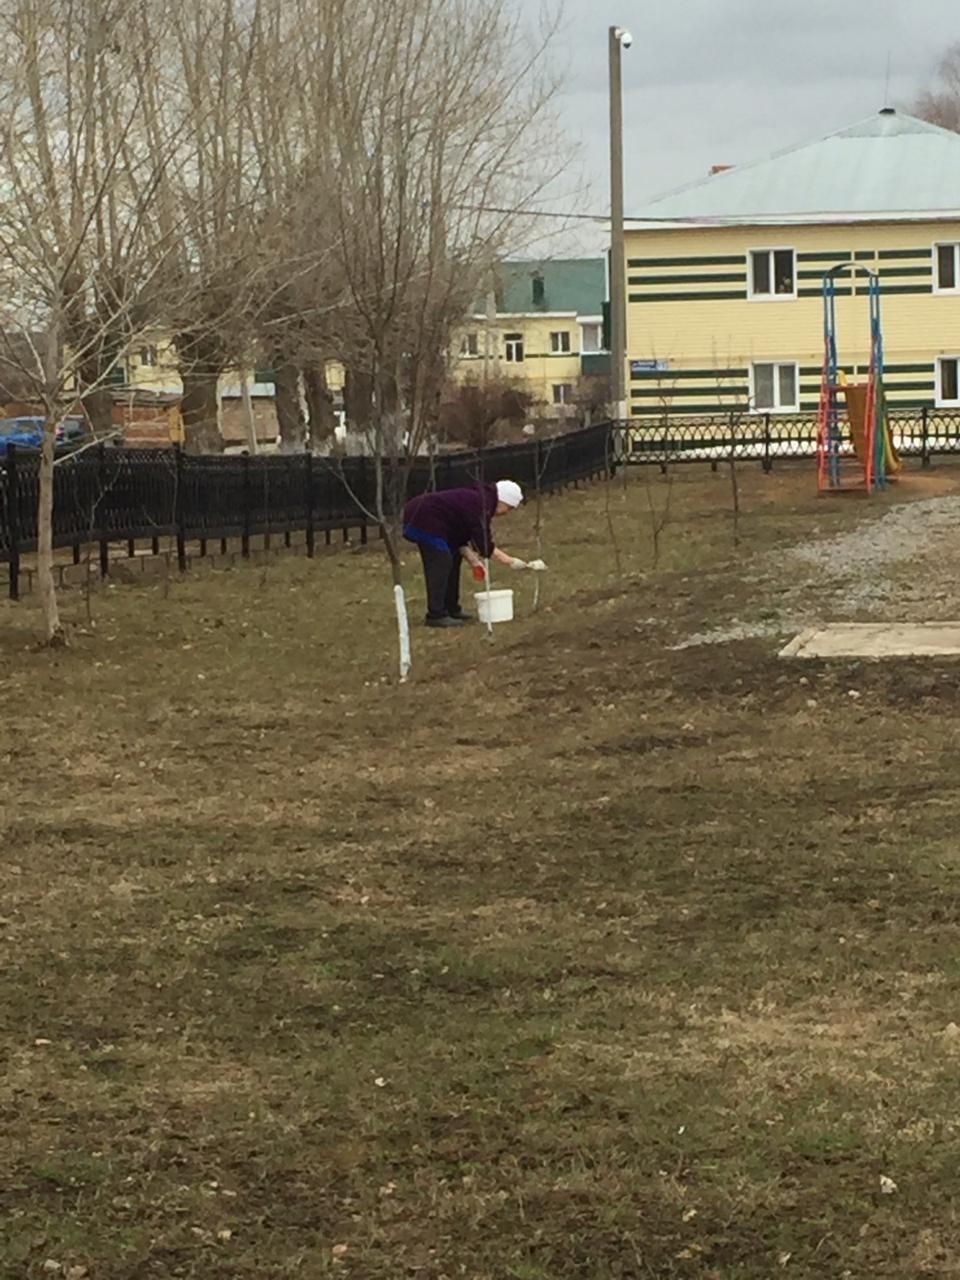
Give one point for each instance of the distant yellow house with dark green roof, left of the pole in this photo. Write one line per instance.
(542, 330)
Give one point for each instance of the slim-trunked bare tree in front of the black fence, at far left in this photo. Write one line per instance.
(80, 162)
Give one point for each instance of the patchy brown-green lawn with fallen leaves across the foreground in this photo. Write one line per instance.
(580, 957)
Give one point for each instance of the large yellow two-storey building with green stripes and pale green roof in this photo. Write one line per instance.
(725, 277)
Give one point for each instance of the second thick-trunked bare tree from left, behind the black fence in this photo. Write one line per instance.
(235, 62)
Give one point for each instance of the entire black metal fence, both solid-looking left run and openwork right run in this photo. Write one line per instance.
(108, 496)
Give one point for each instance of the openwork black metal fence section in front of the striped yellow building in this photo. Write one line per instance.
(766, 437)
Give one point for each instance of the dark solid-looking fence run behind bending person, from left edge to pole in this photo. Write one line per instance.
(107, 496)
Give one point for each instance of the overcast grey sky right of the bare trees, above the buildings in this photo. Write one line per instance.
(728, 81)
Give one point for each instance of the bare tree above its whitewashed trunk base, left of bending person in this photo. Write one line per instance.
(441, 122)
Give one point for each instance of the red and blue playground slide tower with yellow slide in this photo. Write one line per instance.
(854, 445)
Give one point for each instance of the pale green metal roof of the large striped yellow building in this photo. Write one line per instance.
(889, 167)
